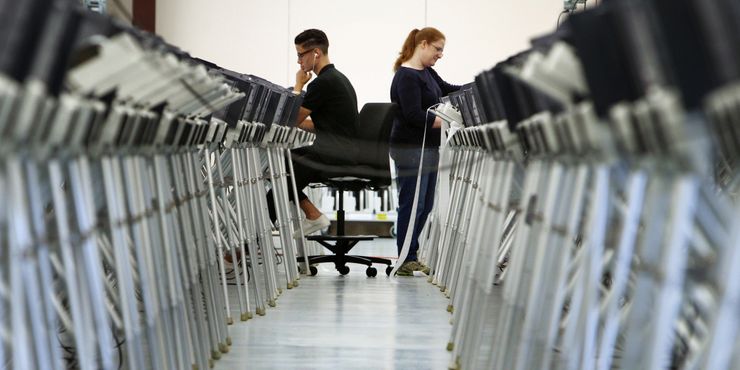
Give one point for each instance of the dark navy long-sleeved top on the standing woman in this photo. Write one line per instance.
(415, 91)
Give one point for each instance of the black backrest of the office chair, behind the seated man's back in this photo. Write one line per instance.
(374, 131)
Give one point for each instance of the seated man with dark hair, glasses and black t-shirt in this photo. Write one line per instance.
(331, 102)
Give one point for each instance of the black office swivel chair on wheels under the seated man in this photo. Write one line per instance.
(371, 172)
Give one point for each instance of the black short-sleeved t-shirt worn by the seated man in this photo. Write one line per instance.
(333, 104)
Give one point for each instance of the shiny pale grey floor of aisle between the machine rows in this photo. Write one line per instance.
(350, 322)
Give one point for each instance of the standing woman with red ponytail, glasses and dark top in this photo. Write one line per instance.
(415, 88)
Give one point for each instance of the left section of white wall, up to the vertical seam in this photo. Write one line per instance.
(247, 36)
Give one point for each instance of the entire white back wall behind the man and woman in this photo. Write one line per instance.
(365, 37)
